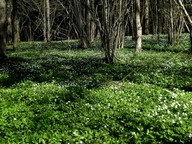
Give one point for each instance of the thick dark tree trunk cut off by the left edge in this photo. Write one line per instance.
(2, 29)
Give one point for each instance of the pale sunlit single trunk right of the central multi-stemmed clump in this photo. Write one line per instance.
(138, 27)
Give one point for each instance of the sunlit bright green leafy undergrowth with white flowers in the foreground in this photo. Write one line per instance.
(114, 113)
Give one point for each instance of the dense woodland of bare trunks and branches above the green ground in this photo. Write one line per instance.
(88, 20)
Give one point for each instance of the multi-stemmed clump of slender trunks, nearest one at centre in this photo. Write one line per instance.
(111, 27)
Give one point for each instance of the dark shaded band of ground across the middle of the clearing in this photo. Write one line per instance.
(90, 72)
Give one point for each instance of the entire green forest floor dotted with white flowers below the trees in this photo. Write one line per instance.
(56, 93)
